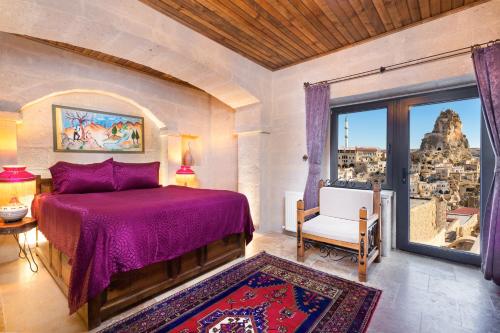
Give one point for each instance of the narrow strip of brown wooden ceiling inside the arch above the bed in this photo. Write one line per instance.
(110, 59)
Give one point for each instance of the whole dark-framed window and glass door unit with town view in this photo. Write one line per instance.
(438, 160)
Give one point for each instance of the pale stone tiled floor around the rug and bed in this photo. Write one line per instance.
(419, 294)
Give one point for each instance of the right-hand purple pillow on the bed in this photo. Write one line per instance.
(136, 175)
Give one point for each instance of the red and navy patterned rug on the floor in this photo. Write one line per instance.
(261, 294)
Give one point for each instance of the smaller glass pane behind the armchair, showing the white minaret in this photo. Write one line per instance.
(359, 145)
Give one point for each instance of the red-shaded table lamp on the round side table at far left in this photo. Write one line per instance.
(15, 182)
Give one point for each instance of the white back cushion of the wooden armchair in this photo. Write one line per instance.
(344, 203)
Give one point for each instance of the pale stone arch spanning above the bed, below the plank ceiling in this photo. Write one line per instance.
(132, 30)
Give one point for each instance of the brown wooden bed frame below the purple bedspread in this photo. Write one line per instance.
(131, 288)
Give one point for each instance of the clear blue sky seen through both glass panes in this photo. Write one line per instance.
(369, 128)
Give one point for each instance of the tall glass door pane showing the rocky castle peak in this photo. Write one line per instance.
(445, 167)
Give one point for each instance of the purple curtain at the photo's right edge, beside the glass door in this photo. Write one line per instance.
(487, 66)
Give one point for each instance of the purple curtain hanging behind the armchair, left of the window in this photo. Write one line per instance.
(317, 107)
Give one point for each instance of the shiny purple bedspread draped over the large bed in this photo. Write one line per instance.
(107, 233)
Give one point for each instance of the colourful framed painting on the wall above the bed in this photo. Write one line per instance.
(90, 131)
